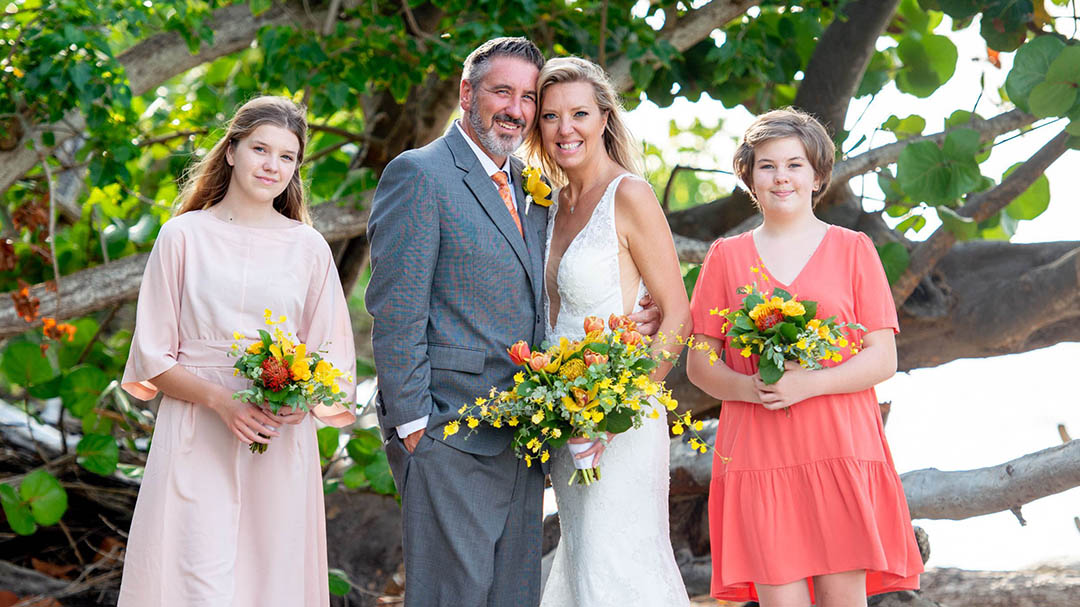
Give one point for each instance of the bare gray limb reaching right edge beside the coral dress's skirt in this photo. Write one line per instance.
(934, 494)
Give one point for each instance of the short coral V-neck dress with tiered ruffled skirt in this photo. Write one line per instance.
(814, 493)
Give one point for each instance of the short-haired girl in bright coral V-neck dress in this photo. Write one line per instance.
(809, 508)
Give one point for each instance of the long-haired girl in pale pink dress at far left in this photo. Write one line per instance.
(215, 524)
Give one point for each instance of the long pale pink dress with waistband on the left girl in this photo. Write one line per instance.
(215, 524)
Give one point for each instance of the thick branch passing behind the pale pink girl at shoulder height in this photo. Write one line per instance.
(94, 289)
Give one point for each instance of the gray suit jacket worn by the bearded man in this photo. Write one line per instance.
(453, 286)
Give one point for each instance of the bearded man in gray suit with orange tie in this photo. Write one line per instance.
(457, 277)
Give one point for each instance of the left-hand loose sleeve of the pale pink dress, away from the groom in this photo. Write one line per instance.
(156, 341)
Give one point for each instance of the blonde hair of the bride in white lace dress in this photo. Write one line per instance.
(618, 141)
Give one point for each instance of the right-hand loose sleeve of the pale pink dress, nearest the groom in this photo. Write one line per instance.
(326, 327)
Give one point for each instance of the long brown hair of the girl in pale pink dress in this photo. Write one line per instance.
(208, 181)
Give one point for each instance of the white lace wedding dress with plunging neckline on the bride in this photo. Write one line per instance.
(615, 548)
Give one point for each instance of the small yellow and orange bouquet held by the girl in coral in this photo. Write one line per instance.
(780, 328)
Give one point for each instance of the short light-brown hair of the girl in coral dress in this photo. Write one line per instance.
(788, 123)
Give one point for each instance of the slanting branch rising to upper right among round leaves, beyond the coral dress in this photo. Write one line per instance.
(979, 208)
